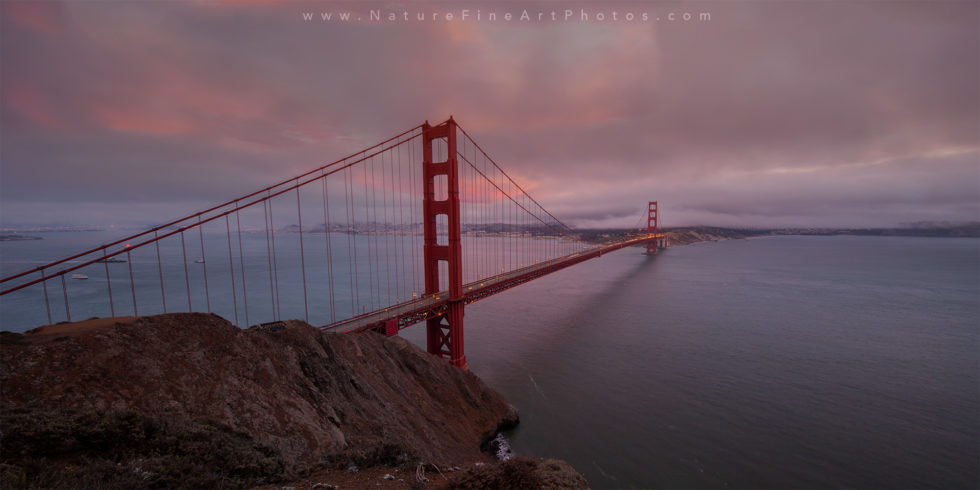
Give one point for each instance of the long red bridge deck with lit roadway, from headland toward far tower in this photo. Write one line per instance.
(414, 311)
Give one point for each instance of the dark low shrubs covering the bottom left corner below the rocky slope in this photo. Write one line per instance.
(101, 449)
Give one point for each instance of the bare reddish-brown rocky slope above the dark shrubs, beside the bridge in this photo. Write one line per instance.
(310, 396)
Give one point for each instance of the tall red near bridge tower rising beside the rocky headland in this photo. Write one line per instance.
(444, 331)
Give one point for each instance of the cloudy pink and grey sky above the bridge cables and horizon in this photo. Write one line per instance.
(758, 114)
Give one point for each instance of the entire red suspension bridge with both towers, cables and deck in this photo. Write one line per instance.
(410, 230)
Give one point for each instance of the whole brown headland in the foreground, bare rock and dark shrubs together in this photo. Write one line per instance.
(191, 400)
